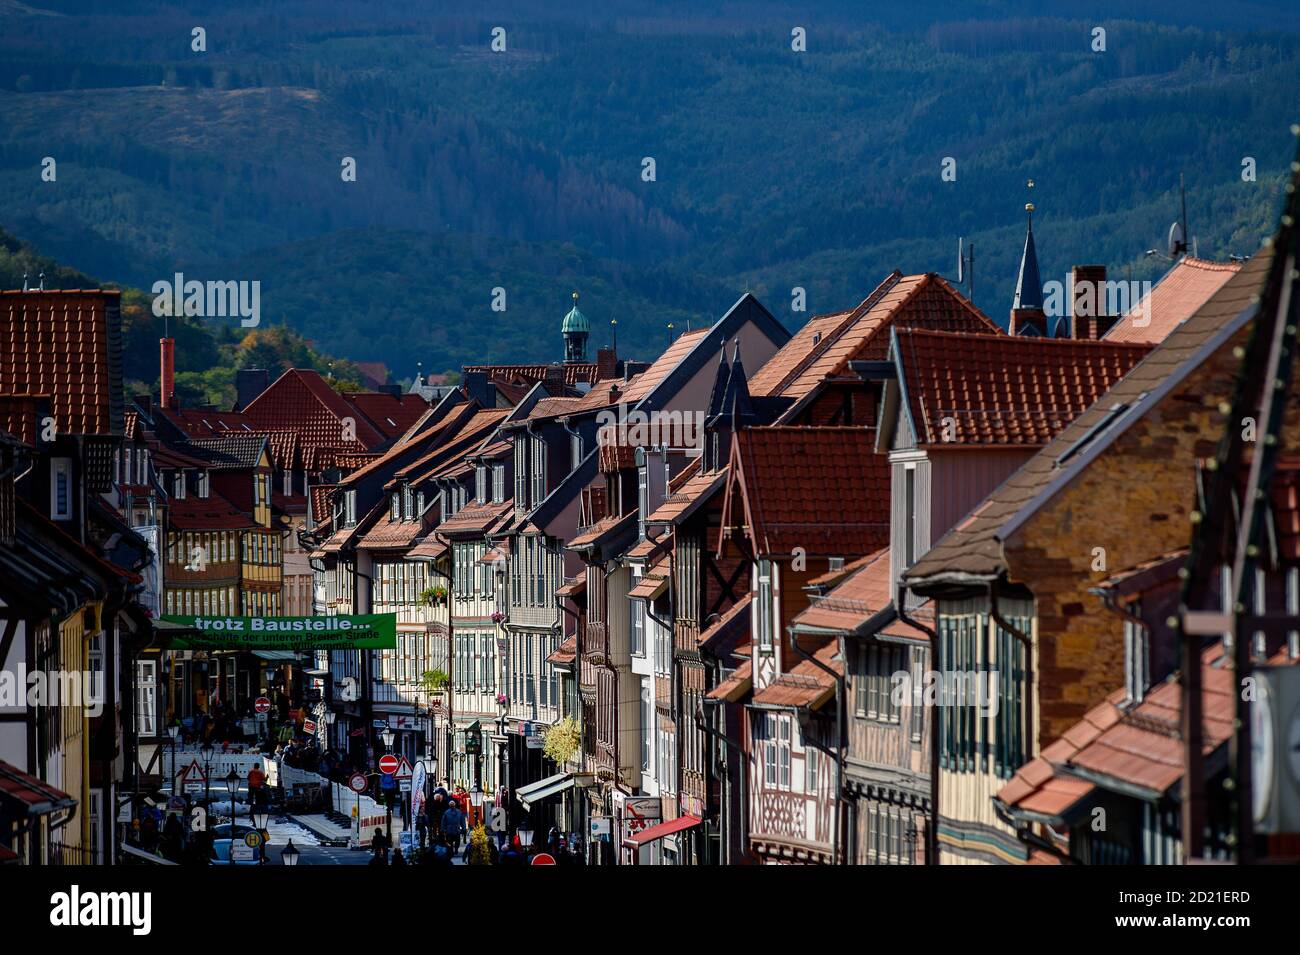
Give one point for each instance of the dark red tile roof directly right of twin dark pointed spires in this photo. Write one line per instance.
(821, 489)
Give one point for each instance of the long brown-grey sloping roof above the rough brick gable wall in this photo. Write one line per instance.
(974, 548)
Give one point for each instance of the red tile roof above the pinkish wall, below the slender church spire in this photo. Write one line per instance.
(1000, 392)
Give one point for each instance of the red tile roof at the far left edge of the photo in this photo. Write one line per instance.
(66, 345)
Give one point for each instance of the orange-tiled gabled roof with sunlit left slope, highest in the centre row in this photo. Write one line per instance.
(825, 348)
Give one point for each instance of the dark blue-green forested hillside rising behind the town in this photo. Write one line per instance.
(525, 170)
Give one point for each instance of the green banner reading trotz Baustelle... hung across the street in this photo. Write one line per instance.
(352, 632)
